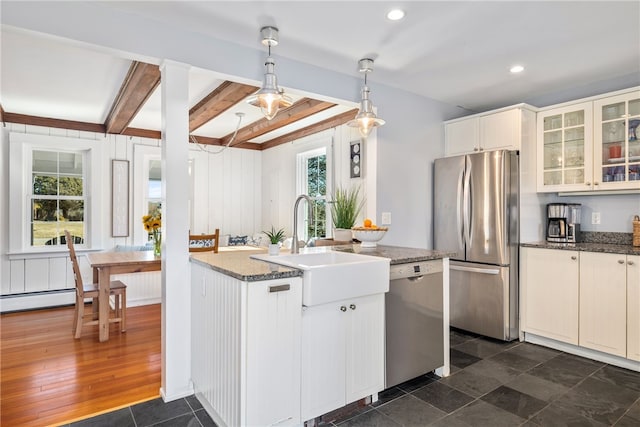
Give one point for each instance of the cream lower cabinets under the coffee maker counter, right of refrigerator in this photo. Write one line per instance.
(583, 298)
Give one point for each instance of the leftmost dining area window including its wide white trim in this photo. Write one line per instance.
(55, 184)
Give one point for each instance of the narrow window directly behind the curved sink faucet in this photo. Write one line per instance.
(312, 169)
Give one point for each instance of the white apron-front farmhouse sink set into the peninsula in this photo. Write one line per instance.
(333, 276)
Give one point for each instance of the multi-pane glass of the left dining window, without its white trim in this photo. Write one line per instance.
(58, 197)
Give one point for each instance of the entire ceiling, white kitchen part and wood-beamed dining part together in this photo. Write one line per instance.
(56, 72)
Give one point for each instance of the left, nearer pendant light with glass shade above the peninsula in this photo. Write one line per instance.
(270, 98)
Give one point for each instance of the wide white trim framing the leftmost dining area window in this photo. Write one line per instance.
(20, 147)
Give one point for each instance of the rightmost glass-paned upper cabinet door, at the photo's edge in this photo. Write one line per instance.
(617, 147)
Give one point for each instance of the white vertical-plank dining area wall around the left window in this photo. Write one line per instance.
(226, 186)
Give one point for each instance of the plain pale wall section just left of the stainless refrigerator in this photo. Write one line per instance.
(408, 143)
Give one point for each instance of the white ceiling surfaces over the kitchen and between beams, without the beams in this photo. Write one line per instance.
(455, 52)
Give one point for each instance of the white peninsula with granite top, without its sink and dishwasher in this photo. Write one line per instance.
(250, 344)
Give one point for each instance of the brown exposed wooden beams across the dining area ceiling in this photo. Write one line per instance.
(143, 79)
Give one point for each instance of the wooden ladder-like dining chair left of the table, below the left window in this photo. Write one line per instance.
(83, 290)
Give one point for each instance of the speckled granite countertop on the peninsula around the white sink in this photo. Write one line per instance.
(239, 265)
